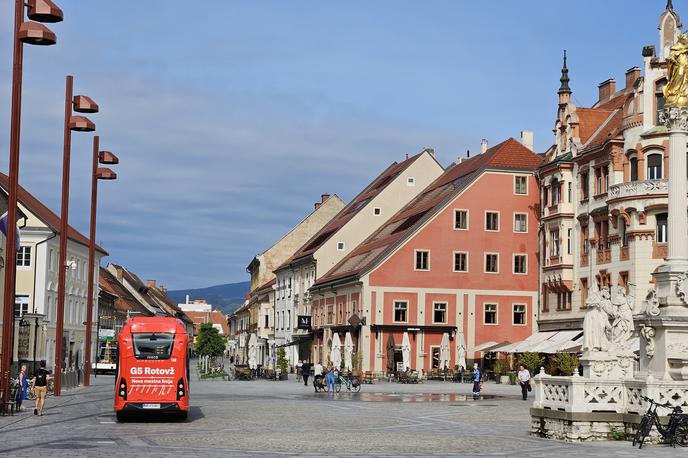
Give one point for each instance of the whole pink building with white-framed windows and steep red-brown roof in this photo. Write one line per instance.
(454, 271)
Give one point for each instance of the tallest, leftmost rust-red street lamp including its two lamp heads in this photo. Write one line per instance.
(36, 34)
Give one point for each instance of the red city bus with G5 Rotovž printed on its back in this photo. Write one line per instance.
(152, 367)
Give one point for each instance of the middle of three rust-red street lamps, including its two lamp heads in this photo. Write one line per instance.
(80, 104)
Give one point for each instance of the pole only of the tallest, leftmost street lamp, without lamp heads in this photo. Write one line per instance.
(10, 245)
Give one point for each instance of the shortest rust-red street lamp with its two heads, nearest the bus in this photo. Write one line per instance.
(102, 157)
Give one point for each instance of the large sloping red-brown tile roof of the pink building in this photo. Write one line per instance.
(510, 154)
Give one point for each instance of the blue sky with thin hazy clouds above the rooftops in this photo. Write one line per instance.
(232, 117)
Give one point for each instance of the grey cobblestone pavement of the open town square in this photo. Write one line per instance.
(264, 418)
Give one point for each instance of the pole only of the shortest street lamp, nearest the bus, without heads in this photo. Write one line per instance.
(91, 261)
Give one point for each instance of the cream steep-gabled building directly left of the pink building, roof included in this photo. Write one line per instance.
(374, 205)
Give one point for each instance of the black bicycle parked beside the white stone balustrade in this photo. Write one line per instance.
(675, 432)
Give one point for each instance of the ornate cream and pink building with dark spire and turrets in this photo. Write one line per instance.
(604, 189)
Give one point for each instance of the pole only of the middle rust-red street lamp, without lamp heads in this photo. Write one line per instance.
(64, 236)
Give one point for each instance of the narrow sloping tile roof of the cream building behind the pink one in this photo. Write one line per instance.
(355, 206)
